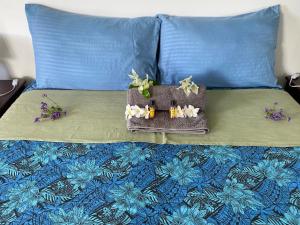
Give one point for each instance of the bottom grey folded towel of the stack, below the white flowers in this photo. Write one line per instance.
(163, 123)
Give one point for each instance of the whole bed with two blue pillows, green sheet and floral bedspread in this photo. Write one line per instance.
(87, 168)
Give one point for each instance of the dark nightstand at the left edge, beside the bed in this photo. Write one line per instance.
(7, 100)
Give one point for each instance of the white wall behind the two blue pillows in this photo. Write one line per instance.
(15, 44)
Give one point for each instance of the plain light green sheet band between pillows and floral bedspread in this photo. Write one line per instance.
(236, 117)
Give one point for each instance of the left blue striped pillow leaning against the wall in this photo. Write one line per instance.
(75, 51)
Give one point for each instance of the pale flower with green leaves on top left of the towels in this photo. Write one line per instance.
(142, 85)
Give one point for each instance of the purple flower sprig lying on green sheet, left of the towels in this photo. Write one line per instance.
(52, 112)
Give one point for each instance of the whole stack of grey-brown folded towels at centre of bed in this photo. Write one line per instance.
(163, 95)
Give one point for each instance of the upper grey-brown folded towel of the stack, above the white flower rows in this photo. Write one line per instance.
(163, 95)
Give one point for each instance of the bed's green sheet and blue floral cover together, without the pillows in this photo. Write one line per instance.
(86, 168)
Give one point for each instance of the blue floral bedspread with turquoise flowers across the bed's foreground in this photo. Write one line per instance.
(141, 183)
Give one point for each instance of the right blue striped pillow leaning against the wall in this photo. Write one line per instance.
(236, 51)
